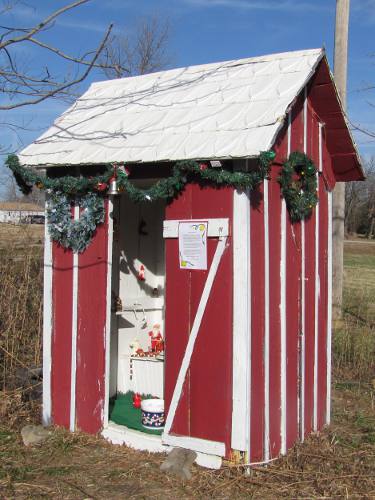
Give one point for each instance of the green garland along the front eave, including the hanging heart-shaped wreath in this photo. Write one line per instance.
(88, 191)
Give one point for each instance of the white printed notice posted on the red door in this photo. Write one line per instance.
(192, 244)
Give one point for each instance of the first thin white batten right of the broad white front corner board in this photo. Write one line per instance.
(266, 325)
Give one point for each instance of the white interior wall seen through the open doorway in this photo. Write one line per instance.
(140, 242)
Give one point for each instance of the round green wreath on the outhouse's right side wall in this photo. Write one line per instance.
(300, 193)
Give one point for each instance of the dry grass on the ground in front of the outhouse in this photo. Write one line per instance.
(337, 463)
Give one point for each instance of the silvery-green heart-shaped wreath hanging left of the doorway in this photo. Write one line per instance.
(70, 233)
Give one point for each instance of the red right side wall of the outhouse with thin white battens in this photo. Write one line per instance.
(301, 366)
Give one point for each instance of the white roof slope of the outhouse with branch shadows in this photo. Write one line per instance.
(231, 109)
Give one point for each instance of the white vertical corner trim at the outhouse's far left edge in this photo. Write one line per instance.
(47, 323)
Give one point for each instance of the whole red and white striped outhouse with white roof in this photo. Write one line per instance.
(246, 370)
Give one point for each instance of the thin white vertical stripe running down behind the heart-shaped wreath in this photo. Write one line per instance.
(74, 335)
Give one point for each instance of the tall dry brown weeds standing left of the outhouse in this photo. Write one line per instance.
(21, 308)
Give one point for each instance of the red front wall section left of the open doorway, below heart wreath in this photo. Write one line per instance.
(88, 374)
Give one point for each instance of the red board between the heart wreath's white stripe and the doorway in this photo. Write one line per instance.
(90, 370)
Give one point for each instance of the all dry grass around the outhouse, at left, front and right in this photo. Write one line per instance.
(337, 463)
